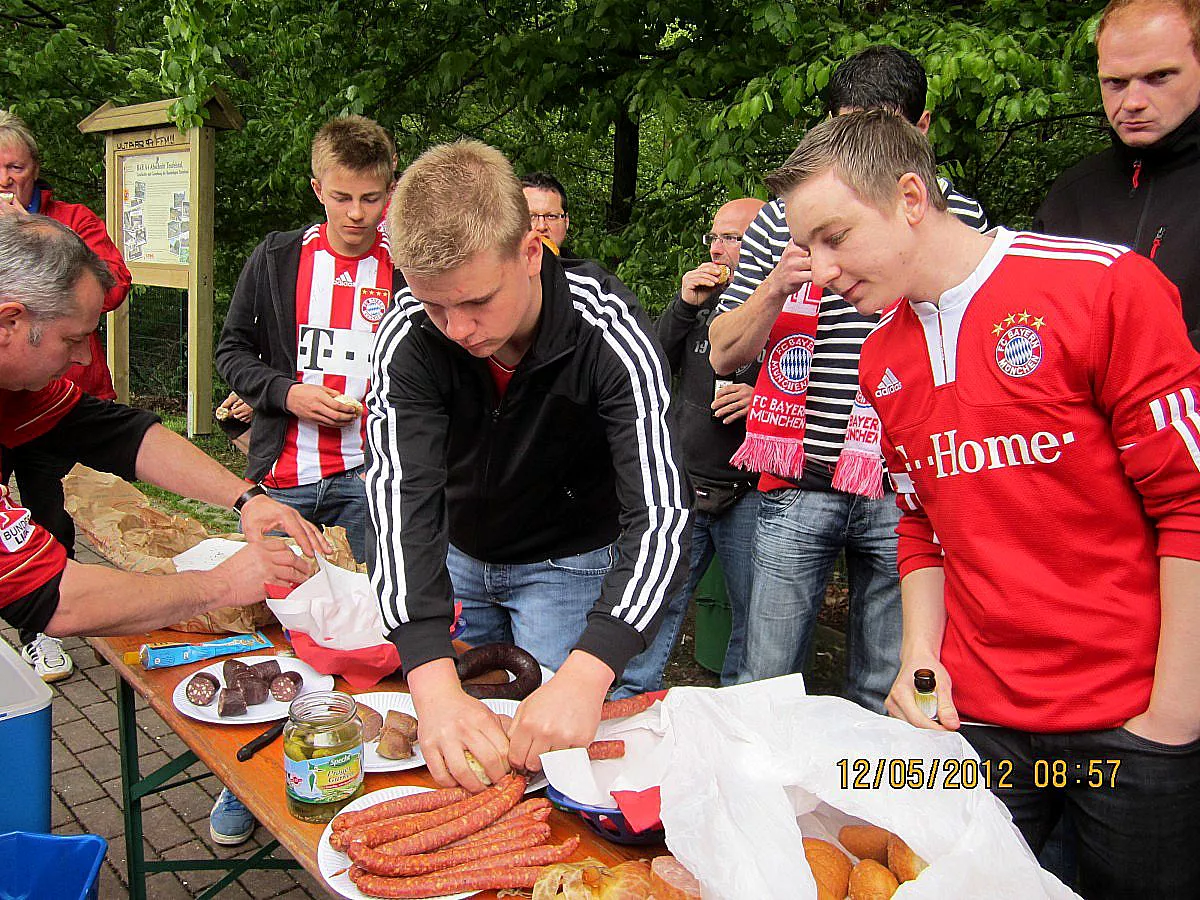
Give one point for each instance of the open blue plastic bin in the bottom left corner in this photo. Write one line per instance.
(50, 867)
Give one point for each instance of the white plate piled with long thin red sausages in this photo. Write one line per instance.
(447, 844)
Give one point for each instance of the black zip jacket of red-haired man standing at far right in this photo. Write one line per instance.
(1145, 199)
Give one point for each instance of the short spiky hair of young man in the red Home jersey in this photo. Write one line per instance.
(869, 151)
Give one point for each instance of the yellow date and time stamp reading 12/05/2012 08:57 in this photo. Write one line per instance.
(968, 775)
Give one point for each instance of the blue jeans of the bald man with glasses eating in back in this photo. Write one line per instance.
(730, 537)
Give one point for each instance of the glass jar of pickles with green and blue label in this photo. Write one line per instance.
(322, 755)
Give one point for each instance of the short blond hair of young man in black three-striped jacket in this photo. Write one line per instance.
(454, 202)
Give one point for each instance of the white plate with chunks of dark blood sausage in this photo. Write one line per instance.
(248, 691)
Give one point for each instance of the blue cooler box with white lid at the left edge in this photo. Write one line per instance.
(25, 746)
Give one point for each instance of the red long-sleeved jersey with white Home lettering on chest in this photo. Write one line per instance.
(1042, 433)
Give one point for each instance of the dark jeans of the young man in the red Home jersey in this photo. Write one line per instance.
(1138, 823)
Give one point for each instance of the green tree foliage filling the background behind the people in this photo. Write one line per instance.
(652, 112)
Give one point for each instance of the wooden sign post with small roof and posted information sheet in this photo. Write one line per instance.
(159, 209)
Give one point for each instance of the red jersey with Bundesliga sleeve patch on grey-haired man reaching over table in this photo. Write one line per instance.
(29, 556)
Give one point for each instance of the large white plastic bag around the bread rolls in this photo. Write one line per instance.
(755, 769)
